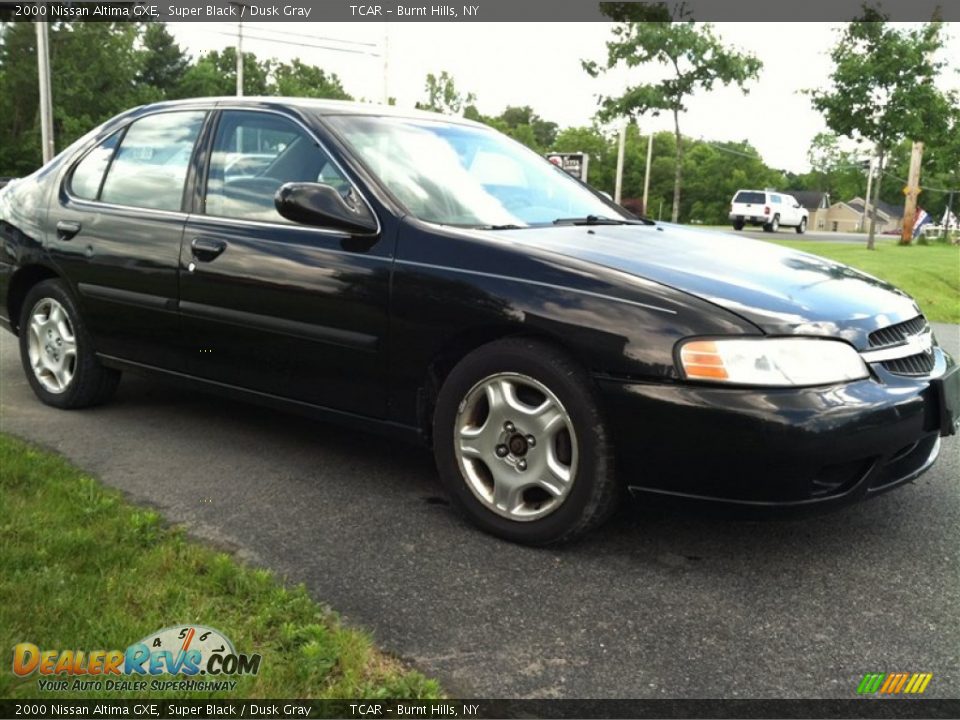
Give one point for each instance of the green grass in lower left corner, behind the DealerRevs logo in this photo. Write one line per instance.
(83, 569)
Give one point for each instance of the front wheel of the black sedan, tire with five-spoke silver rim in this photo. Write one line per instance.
(496, 469)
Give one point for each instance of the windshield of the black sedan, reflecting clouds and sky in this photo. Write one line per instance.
(461, 175)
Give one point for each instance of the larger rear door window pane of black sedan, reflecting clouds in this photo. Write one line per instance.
(151, 164)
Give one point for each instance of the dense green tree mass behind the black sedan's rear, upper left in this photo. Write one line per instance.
(101, 69)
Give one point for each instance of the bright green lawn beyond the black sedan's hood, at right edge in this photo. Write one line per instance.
(930, 273)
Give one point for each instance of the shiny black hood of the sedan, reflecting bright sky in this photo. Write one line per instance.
(782, 291)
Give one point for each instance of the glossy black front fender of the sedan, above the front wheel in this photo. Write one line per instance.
(447, 286)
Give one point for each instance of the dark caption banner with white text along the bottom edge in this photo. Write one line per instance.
(412, 709)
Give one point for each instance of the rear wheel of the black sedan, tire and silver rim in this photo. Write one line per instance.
(56, 351)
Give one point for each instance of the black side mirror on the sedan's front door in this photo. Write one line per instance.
(321, 204)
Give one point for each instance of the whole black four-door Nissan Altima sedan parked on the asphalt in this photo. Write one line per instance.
(430, 277)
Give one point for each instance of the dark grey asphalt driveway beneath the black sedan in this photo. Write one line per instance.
(656, 605)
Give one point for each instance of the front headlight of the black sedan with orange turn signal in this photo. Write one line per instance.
(785, 362)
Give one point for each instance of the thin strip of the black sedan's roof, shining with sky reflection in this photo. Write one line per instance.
(316, 105)
